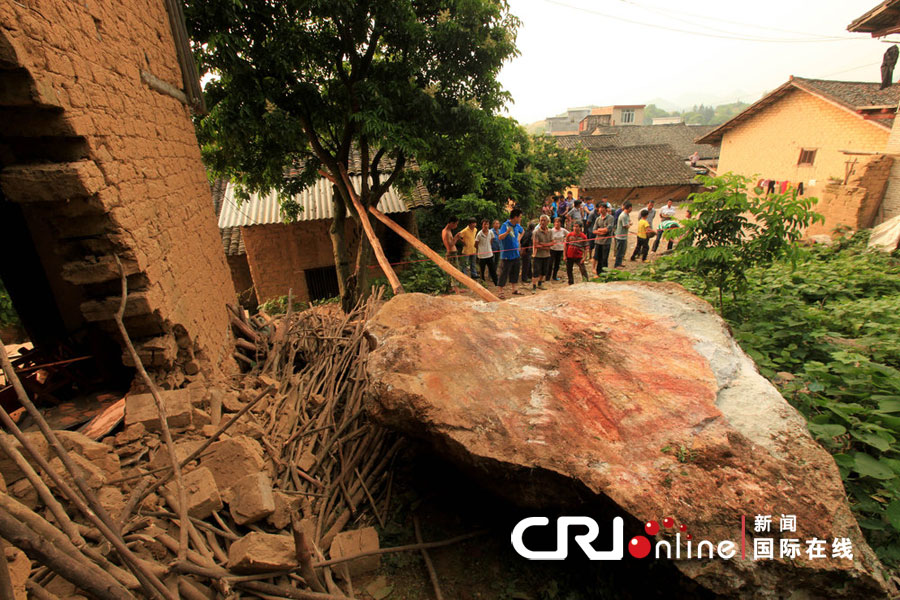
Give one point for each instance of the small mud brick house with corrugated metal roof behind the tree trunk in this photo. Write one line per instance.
(272, 257)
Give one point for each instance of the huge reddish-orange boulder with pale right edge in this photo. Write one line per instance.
(638, 392)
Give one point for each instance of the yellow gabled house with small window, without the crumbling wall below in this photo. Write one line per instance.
(806, 130)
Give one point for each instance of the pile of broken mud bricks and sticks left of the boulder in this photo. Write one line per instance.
(283, 477)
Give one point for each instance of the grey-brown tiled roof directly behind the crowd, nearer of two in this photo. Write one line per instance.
(635, 166)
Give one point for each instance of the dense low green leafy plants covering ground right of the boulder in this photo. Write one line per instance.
(827, 331)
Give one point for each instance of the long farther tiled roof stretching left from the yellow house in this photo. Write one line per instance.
(678, 136)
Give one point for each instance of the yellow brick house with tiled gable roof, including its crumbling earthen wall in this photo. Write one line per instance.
(828, 135)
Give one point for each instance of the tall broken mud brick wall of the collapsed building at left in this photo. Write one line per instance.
(134, 172)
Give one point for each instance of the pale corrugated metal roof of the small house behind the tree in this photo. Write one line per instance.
(314, 200)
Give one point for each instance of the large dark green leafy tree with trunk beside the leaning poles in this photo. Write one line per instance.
(302, 83)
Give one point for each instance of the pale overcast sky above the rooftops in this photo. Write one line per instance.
(582, 52)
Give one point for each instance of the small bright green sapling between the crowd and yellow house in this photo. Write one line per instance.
(733, 230)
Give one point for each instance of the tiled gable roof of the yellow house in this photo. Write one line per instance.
(854, 96)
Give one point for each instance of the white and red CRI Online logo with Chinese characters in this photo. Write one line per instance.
(762, 547)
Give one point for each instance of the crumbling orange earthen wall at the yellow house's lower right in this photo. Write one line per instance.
(857, 203)
